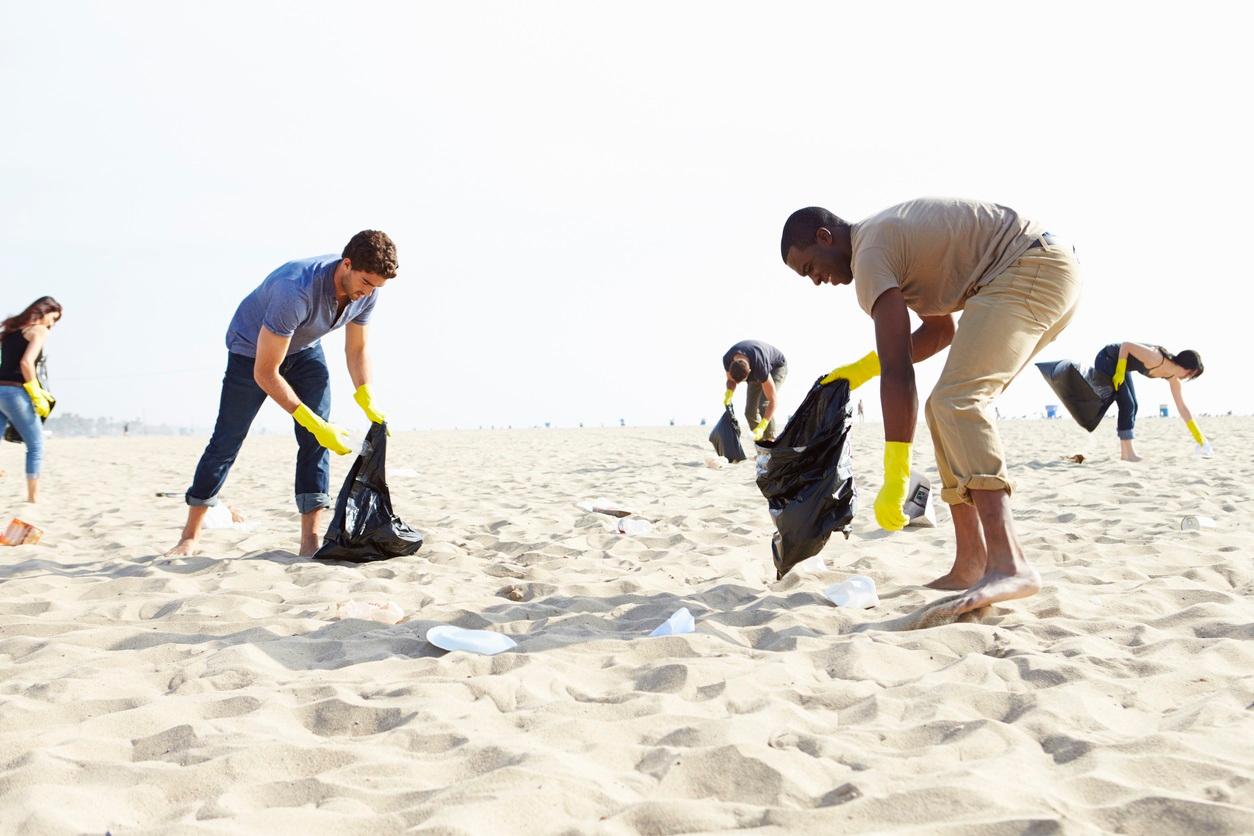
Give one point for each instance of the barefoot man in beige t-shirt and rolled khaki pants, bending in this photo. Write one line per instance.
(1018, 288)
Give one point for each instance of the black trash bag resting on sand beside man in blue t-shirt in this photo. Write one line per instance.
(364, 527)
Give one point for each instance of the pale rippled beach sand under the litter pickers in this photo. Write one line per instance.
(220, 694)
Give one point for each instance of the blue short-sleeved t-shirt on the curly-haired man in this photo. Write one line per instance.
(295, 301)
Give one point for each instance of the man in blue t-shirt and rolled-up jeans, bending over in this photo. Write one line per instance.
(274, 350)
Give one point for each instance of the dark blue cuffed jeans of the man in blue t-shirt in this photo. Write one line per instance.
(308, 375)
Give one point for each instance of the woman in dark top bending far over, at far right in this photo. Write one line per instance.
(1118, 359)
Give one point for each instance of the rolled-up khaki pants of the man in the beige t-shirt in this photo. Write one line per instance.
(1004, 327)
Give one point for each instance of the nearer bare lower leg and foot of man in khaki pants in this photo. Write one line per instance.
(1008, 575)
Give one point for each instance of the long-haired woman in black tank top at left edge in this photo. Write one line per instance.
(23, 400)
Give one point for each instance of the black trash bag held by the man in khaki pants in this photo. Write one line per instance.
(807, 477)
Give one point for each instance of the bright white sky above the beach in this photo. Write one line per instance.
(587, 199)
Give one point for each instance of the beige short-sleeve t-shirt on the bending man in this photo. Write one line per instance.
(937, 250)
